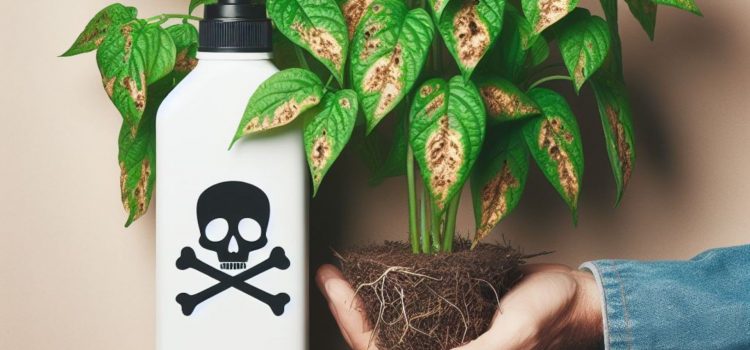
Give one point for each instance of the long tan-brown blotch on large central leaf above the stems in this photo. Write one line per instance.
(445, 156)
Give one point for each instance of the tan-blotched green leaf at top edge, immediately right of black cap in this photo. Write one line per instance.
(318, 26)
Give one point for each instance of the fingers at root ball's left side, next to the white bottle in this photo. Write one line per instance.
(346, 308)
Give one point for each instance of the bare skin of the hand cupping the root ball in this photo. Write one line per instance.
(551, 307)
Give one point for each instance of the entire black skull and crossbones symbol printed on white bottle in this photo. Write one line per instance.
(233, 218)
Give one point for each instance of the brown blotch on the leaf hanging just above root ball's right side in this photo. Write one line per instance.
(495, 201)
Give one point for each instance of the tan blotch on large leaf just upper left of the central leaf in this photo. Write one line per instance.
(384, 77)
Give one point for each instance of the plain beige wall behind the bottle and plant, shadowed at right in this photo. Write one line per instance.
(72, 278)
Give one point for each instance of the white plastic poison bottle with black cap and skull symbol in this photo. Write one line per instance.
(231, 225)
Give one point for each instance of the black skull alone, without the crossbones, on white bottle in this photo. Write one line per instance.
(233, 218)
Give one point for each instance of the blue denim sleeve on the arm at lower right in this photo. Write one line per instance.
(702, 303)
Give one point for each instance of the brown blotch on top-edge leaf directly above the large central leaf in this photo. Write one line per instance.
(471, 35)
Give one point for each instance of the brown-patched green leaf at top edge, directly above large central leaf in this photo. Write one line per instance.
(469, 28)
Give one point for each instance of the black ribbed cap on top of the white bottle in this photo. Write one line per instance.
(235, 26)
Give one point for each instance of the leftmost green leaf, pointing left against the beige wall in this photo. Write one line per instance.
(98, 28)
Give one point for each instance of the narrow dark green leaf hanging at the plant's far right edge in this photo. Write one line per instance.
(616, 116)
